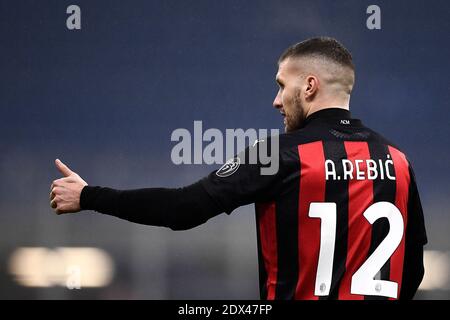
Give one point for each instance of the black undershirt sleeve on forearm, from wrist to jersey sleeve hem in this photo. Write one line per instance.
(178, 209)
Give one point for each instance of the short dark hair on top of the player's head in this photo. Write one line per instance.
(326, 47)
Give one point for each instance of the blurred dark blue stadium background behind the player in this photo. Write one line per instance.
(105, 99)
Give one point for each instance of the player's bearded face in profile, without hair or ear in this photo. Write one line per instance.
(288, 99)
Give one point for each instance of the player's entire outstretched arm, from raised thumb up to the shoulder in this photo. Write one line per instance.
(177, 208)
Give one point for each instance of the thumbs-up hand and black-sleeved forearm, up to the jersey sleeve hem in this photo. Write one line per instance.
(178, 208)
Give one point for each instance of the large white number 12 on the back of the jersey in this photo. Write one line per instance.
(363, 281)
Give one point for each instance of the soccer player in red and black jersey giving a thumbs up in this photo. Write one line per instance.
(340, 219)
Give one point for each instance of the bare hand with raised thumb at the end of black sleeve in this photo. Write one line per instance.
(65, 192)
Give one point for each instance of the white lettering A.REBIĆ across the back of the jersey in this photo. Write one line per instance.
(359, 169)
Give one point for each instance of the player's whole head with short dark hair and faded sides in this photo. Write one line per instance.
(301, 67)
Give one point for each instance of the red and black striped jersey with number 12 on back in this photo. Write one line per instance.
(340, 219)
